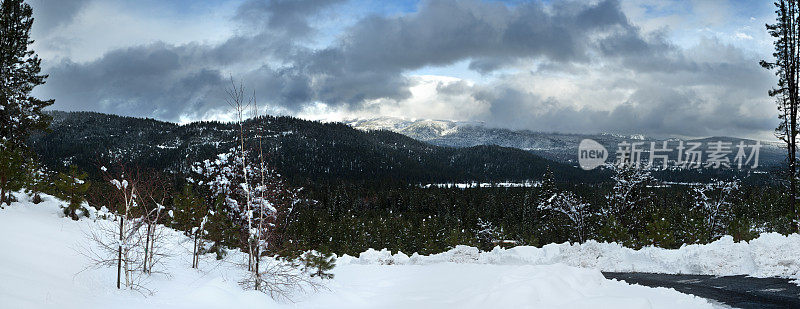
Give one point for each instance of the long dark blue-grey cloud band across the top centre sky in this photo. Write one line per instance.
(370, 59)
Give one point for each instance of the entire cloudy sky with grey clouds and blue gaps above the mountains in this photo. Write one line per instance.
(656, 67)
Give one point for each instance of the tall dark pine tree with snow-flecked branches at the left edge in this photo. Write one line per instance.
(20, 113)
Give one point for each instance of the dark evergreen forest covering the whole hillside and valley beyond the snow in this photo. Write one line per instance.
(363, 187)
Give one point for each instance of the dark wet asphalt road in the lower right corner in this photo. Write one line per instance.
(734, 291)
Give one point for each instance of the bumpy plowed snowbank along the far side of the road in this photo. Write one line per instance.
(770, 255)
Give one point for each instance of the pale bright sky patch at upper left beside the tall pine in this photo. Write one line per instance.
(101, 26)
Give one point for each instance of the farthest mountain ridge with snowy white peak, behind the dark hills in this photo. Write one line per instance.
(561, 147)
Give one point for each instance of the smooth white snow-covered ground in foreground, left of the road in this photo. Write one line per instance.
(42, 266)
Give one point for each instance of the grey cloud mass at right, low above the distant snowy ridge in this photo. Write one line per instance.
(697, 97)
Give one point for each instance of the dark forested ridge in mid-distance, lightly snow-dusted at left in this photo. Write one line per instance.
(306, 151)
